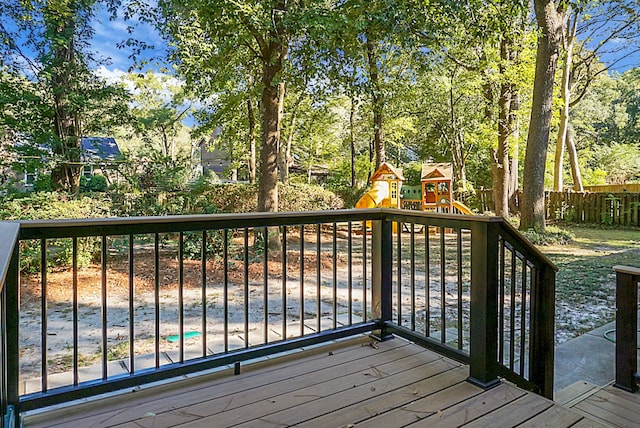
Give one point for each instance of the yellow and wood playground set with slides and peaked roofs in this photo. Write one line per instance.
(434, 194)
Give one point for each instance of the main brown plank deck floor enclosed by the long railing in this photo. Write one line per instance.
(345, 384)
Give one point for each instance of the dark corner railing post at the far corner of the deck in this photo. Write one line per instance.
(381, 275)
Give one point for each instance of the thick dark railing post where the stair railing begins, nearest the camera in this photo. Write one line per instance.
(483, 346)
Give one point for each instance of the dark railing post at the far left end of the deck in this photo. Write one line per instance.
(11, 348)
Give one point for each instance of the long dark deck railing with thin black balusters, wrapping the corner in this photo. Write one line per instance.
(170, 296)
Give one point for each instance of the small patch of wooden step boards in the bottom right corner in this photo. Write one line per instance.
(609, 405)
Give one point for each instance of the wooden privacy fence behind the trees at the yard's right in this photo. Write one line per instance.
(622, 208)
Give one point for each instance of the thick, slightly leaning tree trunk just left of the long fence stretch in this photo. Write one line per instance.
(550, 20)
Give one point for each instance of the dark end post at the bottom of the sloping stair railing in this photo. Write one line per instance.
(542, 350)
